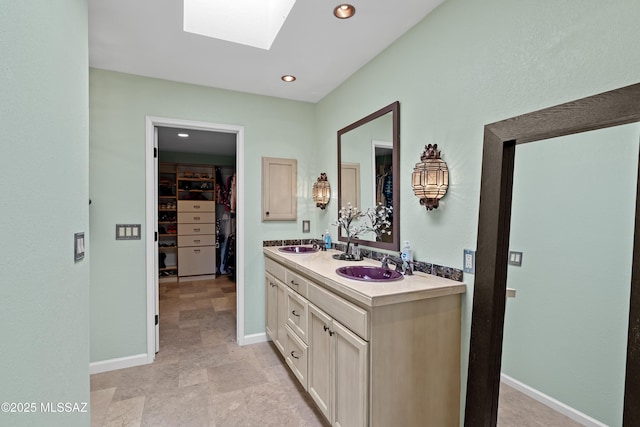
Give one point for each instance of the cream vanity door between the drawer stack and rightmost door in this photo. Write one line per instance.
(320, 360)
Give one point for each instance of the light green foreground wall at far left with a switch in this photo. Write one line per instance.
(44, 296)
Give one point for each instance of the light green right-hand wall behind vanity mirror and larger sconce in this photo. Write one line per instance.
(471, 63)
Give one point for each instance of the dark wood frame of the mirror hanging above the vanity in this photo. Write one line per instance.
(393, 108)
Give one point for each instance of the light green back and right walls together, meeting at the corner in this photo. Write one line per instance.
(467, 64)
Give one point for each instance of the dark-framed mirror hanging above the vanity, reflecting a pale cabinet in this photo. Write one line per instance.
(368, 170)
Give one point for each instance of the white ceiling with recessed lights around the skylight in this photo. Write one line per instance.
(145, 37)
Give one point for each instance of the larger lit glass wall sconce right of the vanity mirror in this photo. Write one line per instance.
(430, 178)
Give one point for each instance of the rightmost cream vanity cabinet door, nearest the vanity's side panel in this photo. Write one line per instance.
(351, 375)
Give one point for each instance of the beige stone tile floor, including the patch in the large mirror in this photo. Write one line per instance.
(201, 377)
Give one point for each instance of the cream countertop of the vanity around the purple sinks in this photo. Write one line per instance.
(320, 268)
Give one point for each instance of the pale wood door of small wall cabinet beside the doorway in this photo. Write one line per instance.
(279, 199)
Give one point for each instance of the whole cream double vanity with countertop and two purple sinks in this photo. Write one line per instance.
(370, 348)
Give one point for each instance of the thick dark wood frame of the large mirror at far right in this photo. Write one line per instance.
(617, 107)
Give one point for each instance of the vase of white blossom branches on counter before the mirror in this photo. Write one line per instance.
(355, 222)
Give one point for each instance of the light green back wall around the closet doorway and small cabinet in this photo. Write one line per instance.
(119, 104)
